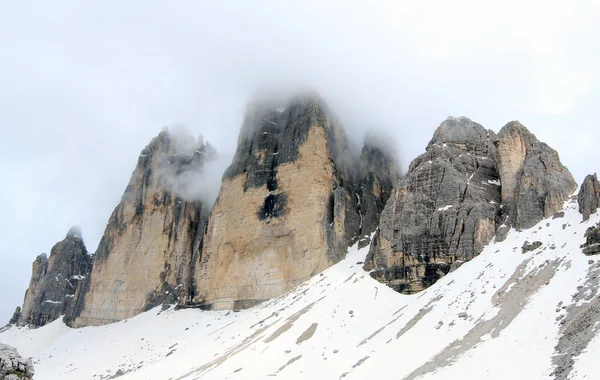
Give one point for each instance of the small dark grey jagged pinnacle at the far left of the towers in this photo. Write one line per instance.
(54, 281)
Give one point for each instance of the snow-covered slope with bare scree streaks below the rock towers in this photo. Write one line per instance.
(504, 315)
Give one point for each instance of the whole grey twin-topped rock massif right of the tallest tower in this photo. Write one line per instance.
(468, 186)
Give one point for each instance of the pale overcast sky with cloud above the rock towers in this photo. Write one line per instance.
(85, 85)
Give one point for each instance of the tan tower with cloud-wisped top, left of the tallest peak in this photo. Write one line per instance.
(145, 256)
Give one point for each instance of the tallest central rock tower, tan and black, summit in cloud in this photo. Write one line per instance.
(288, 207)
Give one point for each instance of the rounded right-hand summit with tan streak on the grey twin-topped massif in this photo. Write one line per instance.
(534, 182)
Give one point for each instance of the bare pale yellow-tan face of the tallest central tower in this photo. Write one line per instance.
(246, 260)
